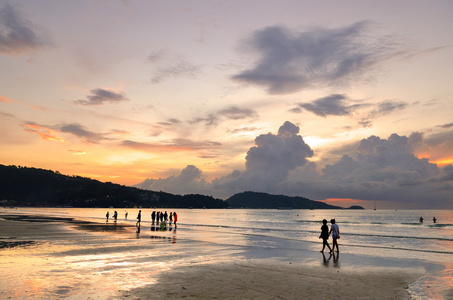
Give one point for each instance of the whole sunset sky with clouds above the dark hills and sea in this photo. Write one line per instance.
(347, 102)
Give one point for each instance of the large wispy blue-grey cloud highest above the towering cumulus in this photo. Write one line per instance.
(290, 61)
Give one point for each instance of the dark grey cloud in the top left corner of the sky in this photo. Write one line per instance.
(18, 34)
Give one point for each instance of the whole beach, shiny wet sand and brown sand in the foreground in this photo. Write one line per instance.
(48, 257)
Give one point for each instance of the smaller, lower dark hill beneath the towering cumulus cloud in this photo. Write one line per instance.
(264, 200)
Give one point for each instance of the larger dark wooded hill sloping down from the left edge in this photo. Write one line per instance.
(23, 186)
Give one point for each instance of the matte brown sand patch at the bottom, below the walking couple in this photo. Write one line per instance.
(252, 280)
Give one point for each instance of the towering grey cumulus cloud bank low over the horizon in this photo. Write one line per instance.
(380, 169)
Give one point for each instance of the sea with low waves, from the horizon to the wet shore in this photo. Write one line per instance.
(379, 238)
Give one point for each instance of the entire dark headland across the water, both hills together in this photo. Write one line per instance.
(26, 186)
